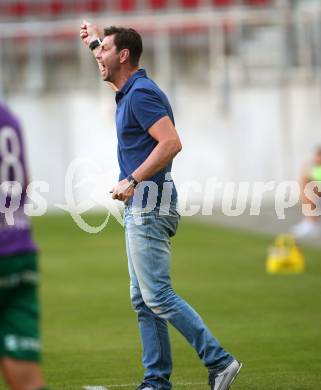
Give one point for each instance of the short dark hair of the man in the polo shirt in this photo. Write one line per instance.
(127, 38)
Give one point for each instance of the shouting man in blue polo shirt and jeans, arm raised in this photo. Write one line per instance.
(147, 144)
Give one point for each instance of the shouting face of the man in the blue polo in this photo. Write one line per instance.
(108, 59)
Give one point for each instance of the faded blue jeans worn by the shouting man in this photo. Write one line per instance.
(156, 303)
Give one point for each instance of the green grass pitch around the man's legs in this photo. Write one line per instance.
(271, 323)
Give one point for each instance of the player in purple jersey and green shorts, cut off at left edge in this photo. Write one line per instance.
(19, 306)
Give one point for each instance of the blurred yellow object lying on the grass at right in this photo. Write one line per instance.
(285, 257)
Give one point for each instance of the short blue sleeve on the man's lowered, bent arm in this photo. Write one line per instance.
(147, 107)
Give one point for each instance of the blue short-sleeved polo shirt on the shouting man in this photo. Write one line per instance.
(140, 104)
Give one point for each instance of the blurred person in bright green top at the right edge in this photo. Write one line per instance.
(310, 226)
